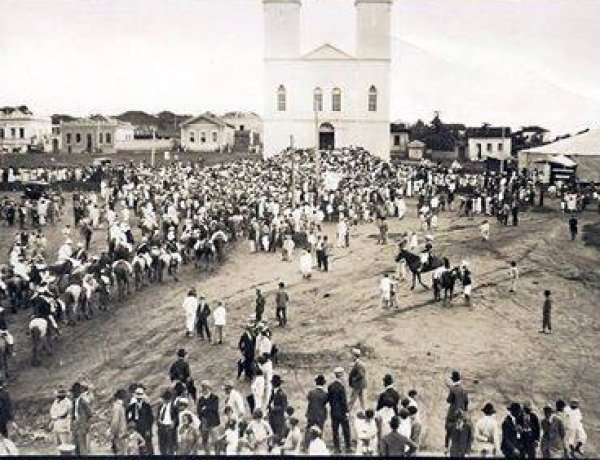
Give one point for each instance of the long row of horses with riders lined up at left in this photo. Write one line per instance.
(64, 292)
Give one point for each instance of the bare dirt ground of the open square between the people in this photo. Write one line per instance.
(495, 343)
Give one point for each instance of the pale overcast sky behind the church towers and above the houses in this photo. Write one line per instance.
(498, 61)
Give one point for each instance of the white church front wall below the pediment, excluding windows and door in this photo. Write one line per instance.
(354, 124)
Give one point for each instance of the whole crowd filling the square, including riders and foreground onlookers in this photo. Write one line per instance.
(159, 218)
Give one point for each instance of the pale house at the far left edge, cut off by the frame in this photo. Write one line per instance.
(21, 131)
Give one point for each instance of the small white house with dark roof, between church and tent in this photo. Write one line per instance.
(488, 141)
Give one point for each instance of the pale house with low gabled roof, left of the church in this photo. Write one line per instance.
(207, 133)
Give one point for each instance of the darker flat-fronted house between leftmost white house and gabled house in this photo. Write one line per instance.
(95, 134)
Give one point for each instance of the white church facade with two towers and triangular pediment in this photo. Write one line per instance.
(327, 96)
